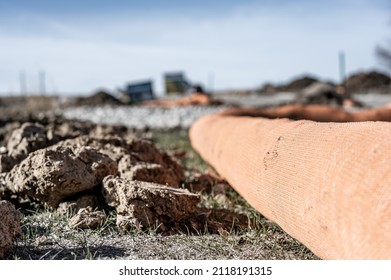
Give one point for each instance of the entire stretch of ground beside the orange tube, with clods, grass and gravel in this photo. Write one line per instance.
(98, 179)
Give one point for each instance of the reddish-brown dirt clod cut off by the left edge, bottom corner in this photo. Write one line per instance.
(9, 226)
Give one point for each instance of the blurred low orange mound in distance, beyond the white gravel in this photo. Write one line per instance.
(195, 99)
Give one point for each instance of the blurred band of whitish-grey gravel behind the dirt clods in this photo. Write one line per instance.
(142, 117)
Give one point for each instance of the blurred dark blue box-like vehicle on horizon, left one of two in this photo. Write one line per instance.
(138, 92)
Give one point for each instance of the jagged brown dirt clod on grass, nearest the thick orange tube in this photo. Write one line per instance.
(145, 205)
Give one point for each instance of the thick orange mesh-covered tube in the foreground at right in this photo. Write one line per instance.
(326, 184)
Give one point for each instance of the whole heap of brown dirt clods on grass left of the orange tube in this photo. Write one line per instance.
(49, 161)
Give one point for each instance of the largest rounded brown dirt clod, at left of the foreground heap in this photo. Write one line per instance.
(51, 175)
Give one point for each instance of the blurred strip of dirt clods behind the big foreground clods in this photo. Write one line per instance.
(24, 134)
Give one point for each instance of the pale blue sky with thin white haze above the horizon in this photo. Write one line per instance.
(86, 45)
